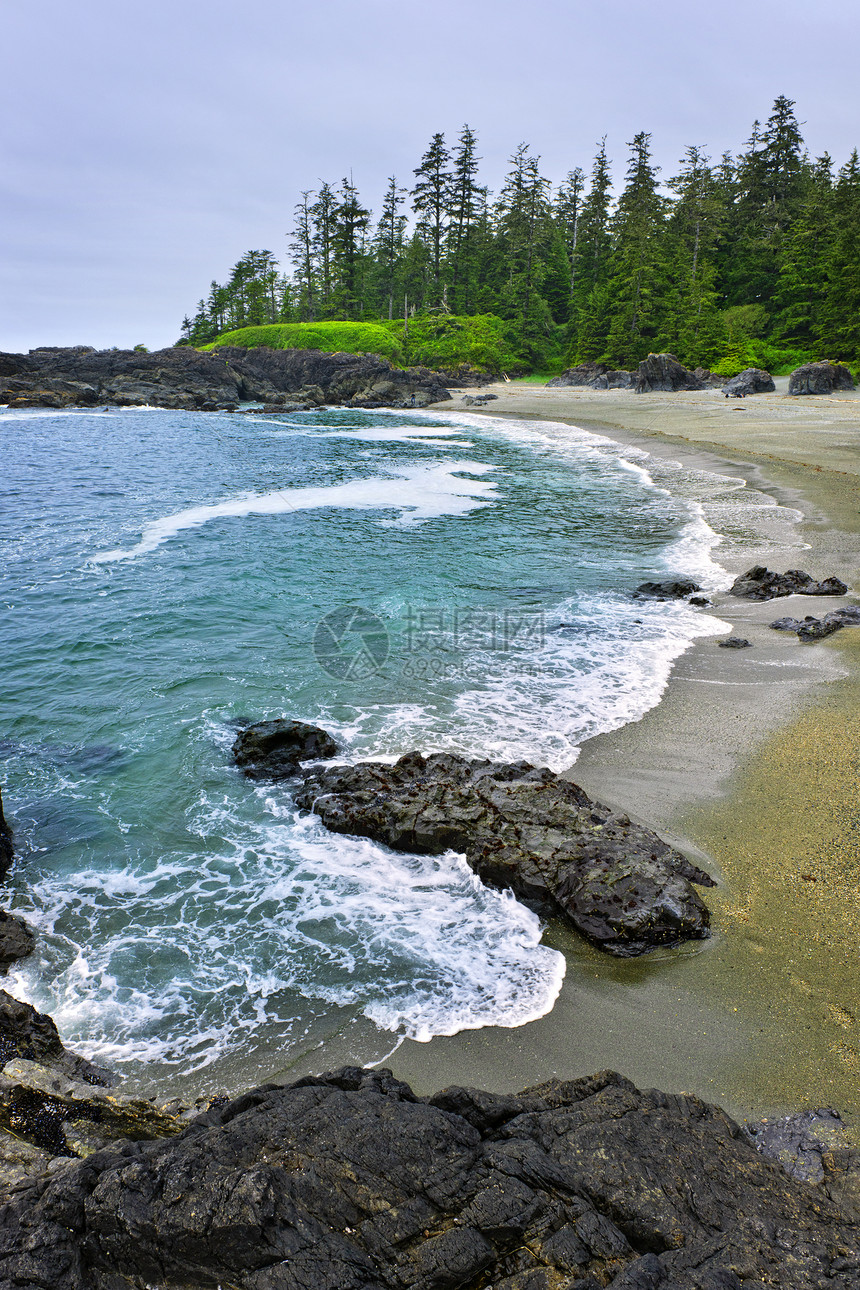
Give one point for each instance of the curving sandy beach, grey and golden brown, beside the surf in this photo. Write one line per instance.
(752, 764)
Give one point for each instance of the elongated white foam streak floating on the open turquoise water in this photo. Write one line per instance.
(417, 492)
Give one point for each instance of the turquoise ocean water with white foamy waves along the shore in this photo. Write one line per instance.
(434, 581)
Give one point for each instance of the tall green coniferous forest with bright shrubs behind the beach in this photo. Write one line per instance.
(738, 261)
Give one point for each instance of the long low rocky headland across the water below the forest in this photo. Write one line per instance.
(184, 379)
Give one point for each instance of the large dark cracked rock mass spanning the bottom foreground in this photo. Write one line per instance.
(350, 1182)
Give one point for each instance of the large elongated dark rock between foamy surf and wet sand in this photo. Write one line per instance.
(529, 831)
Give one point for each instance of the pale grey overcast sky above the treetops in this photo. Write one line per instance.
(149, 144)
